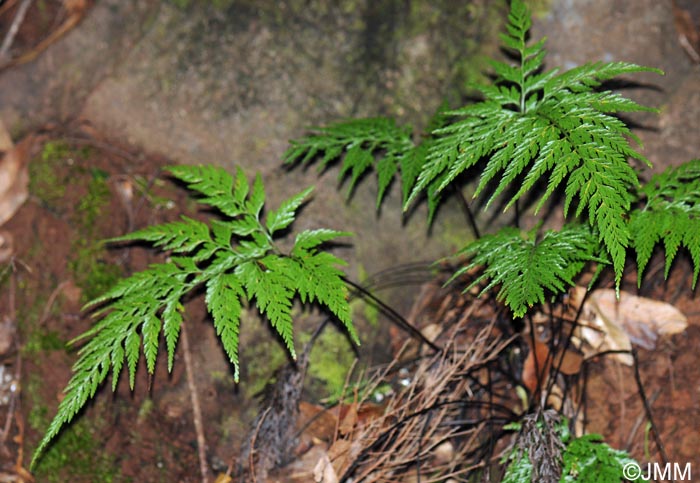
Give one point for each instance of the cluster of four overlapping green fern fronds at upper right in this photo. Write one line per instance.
(538, 132)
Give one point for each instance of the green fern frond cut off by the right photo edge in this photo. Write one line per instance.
(671, 214)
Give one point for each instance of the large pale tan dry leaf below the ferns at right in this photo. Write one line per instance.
(611, 324)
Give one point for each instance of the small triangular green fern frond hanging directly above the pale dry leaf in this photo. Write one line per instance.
(525, 267)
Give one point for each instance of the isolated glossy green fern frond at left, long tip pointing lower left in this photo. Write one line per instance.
(237, 262)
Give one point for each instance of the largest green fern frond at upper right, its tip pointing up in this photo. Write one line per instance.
(533, 125)
